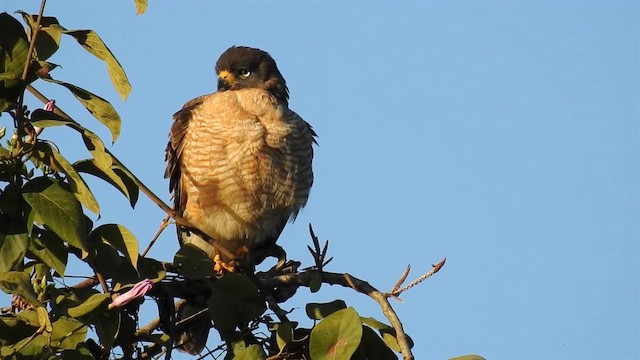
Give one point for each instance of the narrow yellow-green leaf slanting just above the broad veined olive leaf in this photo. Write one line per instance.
(48, 155)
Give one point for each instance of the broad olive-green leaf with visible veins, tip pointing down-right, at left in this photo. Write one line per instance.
(57, 208)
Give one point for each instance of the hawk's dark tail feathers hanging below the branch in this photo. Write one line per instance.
(194, 337)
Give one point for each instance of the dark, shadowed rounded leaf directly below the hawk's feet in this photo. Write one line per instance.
(234, 299)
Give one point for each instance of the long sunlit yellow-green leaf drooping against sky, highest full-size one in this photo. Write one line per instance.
(94, 45)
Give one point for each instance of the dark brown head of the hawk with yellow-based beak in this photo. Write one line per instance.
(241, 67)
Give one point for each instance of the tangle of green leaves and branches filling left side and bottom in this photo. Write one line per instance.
(43, 199)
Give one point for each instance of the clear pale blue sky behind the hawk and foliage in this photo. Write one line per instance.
(501, 135)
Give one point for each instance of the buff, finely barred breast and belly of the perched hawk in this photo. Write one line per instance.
(245, 167)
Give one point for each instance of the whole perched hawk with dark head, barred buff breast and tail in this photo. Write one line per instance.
(239, 164)
